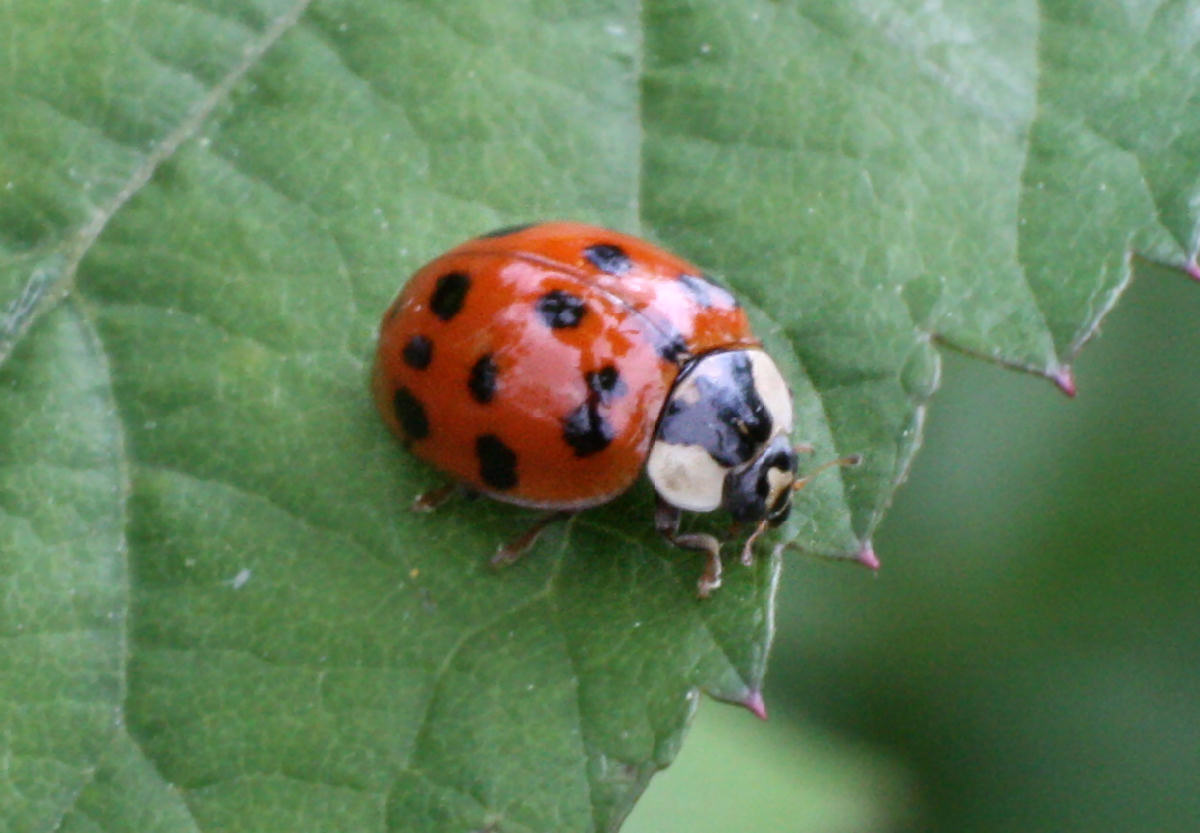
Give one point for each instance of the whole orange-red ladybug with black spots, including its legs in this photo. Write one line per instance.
(547, 365)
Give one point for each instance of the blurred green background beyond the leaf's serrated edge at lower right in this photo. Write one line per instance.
(1028, 657)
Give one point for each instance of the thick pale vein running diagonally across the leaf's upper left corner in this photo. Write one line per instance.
(55, 274)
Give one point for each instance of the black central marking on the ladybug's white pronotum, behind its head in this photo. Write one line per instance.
(729, 418)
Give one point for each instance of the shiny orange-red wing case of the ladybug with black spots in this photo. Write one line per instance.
(532, 364)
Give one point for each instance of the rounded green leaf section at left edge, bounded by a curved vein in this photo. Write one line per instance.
(63, 570)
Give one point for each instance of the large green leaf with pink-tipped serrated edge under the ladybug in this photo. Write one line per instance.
(220, 199)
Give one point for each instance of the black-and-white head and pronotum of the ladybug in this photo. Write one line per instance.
(723, 440)
